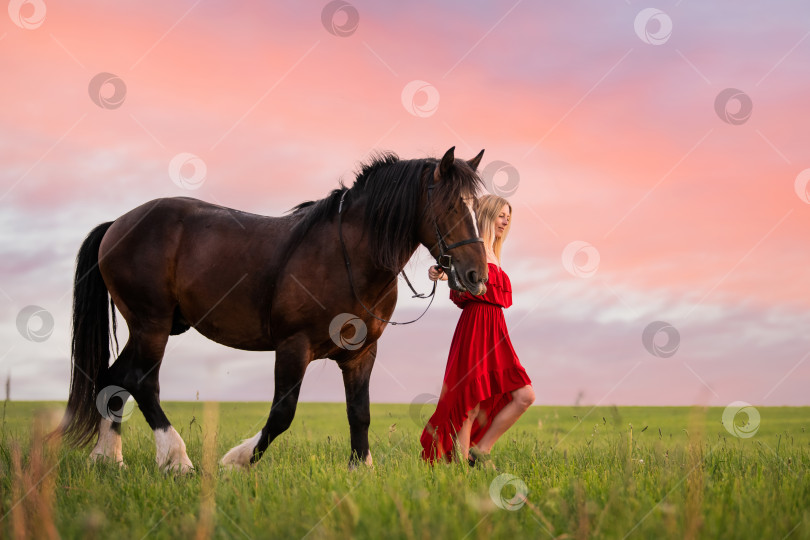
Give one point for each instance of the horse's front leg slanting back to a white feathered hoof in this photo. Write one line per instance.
(292, 358)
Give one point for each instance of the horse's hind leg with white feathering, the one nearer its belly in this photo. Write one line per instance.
(136, 370)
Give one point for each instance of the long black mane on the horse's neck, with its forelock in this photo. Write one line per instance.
(391, 188)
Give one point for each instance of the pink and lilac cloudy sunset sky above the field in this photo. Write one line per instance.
(697, 222)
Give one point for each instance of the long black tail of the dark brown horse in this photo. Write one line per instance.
(90, 346)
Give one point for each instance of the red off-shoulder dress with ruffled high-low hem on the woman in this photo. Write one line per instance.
(482, 367)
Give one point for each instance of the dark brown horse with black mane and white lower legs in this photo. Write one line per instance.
(261, 283)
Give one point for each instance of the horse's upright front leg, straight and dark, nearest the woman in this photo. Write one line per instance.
(356, 375)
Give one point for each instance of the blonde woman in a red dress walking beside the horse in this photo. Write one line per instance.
(485, 388)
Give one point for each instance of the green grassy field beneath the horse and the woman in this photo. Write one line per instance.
(629, 472)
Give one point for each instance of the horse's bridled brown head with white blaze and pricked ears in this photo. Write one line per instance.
(449, 229)
